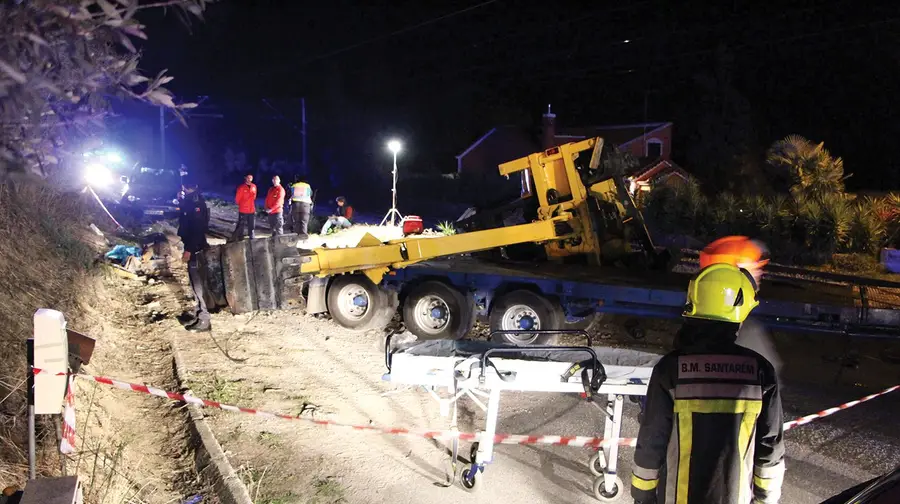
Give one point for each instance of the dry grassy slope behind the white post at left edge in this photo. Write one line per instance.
(46, 261)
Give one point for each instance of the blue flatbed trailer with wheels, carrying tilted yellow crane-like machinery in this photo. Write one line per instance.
(584, 214)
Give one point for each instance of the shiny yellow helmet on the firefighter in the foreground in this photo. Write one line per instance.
(721, 292)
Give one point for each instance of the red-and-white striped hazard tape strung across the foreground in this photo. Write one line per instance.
(514, 439)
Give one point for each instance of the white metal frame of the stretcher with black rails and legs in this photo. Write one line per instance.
(482, 377)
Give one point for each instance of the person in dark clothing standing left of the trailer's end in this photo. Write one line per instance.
(193, 224)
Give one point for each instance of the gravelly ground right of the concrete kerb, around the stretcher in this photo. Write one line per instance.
(291, 363)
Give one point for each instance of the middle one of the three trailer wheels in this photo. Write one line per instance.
(435, 310)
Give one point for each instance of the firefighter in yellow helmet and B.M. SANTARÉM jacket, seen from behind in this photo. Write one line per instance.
(712, 429)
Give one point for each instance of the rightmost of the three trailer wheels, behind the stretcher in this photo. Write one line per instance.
(524, 310)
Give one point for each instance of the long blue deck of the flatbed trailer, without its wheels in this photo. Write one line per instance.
(784, 303)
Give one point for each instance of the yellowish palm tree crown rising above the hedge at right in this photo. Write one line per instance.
(808, 169)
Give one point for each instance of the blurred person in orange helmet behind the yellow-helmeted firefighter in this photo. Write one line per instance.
(749, 255)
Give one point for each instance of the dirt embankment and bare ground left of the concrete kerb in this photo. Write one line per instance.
(130, 448)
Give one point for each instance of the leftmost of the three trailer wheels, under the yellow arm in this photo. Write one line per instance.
(356, 303)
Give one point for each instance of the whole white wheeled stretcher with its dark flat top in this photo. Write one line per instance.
(480, 370)
